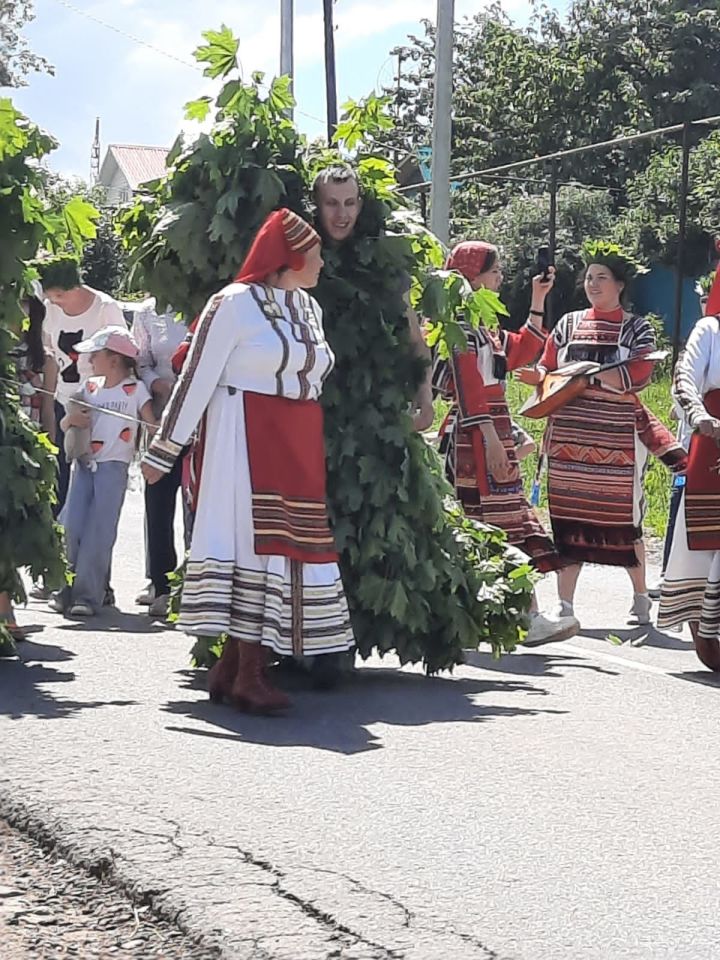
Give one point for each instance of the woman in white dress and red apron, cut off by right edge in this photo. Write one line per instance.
(691, 588)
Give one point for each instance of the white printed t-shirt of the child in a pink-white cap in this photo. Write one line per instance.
(112, 438)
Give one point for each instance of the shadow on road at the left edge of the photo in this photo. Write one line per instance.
(20, 681)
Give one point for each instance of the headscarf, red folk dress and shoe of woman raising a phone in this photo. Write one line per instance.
(477, 436)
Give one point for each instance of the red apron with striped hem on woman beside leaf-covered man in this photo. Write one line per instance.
(286, 451)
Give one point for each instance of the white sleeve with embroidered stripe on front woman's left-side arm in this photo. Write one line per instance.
(217, 334)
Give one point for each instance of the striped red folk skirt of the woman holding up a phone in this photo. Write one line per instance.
(483, 499)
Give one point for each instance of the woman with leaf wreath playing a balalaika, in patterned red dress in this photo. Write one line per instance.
(597, 444)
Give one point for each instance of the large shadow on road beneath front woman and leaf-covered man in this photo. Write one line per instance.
(337, 721)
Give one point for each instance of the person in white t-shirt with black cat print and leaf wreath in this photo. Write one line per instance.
(73, 313)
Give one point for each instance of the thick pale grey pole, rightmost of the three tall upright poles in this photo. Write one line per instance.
(442, 122)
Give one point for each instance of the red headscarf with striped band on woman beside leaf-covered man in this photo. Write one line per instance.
(282, 241)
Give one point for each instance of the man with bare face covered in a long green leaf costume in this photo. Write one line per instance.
(420, 580)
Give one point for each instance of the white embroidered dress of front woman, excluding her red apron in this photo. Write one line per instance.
(229, 588)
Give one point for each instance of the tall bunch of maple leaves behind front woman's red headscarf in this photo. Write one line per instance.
(187, 235)
